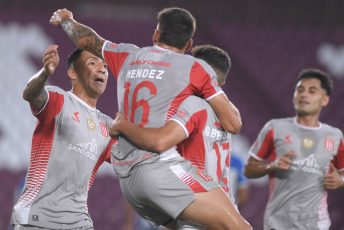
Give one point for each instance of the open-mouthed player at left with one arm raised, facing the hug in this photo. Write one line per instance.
(70, 142)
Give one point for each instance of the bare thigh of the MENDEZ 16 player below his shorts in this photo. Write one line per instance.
(214, 210)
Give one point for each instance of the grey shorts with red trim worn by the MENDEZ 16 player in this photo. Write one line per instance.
(161, 190)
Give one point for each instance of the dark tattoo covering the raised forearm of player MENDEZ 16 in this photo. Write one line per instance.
(83, 37)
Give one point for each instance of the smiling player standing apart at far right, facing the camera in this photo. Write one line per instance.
(303, 158)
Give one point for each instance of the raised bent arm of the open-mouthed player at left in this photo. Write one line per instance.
(34, 91)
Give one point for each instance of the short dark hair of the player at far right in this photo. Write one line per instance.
(324, 78)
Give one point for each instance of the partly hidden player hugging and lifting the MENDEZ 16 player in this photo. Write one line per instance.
(204, 142)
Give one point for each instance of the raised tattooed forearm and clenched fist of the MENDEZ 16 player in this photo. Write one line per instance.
(82, 36)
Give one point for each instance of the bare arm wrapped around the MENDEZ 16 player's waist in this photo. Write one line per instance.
(151, 139)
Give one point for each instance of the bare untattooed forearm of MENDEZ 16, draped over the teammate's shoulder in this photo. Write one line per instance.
(227, 113)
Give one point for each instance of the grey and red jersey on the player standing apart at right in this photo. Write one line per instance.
(297, 198)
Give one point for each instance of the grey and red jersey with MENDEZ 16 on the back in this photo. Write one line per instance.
(151, 84)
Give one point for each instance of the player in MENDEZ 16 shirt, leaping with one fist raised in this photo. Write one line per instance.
(151, 84)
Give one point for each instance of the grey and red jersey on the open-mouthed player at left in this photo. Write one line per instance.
(70, 142)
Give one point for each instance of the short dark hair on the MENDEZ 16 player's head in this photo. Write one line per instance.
(177, 26)
